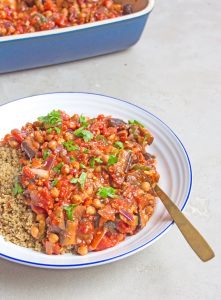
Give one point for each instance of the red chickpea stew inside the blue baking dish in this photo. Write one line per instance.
(26, 16)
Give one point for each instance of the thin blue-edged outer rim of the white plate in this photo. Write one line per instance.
(125, 254)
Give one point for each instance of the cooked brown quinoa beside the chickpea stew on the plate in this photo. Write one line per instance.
(16, 218)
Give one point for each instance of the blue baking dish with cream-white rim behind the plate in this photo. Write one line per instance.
(25, 51)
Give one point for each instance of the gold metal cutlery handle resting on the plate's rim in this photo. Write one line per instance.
(190, 233)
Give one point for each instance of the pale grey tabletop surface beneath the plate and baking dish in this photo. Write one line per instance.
(175, 72)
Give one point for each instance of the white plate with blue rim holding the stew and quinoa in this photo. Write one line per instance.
(173, 166)
